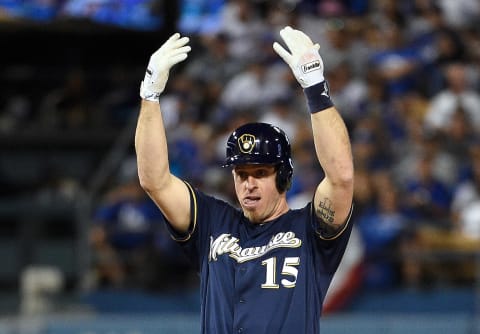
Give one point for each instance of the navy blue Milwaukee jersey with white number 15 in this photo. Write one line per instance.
(260, 278)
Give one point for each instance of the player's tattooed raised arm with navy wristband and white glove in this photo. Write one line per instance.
(333, 196)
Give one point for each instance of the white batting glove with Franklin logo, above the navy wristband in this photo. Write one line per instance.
(303, 58)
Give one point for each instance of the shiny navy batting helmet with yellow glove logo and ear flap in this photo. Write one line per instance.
(262, 143)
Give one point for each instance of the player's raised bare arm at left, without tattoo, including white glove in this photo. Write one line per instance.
(167, 191)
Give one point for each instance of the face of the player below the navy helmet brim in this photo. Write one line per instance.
(257, 192)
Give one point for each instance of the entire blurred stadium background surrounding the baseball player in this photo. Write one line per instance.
(83, 249)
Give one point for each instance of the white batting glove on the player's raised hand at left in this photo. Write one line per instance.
(173, 51)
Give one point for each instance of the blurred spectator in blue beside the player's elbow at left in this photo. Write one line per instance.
(122, 235)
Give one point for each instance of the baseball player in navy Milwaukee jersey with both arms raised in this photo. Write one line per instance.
(264, 268)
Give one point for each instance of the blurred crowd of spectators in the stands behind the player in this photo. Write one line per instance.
(405, 75)
